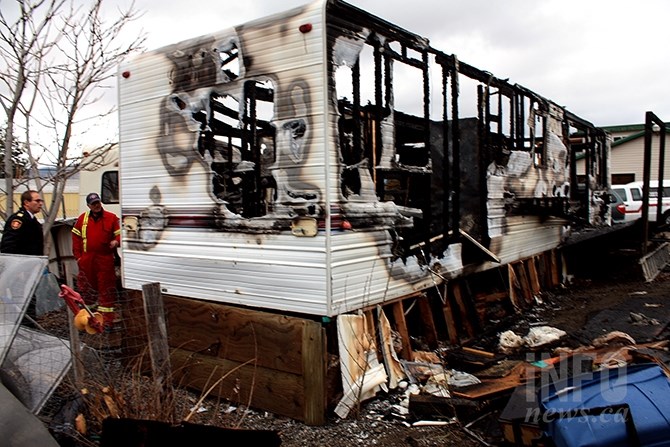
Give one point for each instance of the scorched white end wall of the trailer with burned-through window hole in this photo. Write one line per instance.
(222, 147)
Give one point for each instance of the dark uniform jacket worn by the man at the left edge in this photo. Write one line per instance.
(22, 235)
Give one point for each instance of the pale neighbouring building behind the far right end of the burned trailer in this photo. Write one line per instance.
(627, 154)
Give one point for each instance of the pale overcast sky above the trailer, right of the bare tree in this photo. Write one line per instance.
(604, 60)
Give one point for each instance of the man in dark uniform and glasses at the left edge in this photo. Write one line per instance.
(23, 232)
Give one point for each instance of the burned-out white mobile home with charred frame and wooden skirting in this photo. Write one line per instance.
(282, 173)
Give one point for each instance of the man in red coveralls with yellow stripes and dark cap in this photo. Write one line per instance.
(95, 236)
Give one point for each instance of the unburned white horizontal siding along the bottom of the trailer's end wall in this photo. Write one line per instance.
(285, 273)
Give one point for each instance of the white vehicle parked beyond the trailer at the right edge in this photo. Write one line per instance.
(631, 193)
